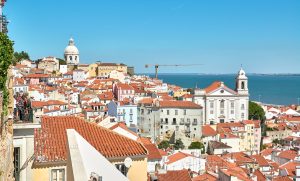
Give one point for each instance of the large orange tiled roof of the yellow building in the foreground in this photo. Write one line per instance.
(51, 139)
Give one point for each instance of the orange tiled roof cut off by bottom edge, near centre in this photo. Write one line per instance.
(178, 175)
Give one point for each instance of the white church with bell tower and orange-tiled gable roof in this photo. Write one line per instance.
(222, 104)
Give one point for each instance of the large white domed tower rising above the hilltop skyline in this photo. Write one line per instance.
(71, 54)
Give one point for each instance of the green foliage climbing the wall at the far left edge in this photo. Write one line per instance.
(6, 56)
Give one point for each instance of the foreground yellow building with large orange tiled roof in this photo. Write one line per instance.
(51, 149)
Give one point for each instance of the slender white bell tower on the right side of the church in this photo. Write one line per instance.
(242, 83)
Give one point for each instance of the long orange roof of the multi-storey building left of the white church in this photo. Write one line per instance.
(179, 104)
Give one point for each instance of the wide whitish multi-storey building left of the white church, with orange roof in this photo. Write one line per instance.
(163, 119)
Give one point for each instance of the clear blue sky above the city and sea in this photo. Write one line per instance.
(263, 35)
